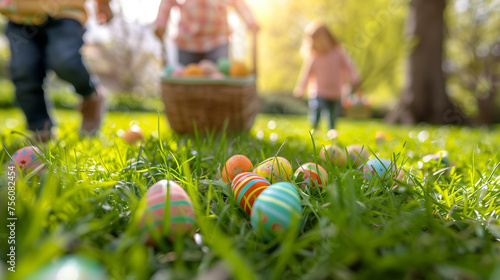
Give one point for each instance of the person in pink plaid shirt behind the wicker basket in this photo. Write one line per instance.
(203, 27)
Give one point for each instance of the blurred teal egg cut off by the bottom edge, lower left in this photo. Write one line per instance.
(70, 267)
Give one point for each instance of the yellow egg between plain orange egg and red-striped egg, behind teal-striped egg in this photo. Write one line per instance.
(275, 169)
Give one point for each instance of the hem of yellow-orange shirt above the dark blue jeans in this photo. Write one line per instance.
(36, 11)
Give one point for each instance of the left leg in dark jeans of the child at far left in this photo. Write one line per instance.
(27, 70)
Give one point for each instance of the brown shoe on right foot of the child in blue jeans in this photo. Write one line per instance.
(92, 109)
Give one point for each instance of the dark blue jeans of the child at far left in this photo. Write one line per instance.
(35, 49)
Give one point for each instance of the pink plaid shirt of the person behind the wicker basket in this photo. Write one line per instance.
(203, 24)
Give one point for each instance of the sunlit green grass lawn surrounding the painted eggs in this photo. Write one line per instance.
(89, 203)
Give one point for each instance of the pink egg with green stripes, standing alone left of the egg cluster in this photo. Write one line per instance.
(180, 209)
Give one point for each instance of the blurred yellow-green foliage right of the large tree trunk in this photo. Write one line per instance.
(472, 61)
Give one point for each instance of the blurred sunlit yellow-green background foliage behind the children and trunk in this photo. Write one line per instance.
(373, 33)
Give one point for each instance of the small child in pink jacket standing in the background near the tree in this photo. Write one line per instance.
(325, 71)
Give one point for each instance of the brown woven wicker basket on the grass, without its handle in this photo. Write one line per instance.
(207, 104)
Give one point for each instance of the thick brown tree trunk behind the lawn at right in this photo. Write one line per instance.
(424, 97)
